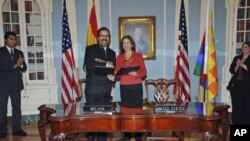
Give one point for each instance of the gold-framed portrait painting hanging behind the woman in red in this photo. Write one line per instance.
(142, 29)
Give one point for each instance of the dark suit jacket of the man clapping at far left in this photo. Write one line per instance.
(8, 75)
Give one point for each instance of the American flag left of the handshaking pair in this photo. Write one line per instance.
(69, 81)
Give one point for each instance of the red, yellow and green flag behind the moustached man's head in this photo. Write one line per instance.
(92, 28)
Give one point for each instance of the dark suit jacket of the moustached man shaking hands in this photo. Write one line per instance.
(97, 83)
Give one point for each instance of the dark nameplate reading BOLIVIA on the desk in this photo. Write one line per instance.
(97, 109)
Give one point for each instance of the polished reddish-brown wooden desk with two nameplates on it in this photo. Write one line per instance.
(192, 120)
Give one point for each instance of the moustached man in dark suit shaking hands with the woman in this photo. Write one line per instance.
(98, 87)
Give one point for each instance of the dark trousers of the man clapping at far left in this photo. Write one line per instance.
(15, 97)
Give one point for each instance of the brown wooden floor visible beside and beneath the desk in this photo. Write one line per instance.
(33, 134)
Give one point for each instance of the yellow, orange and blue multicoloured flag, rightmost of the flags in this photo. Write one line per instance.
(206, 66)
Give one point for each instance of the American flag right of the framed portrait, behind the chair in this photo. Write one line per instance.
(182, 65)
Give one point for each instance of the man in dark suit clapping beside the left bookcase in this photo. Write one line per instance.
(12, 65)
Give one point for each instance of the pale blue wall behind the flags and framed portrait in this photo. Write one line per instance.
(165, 45)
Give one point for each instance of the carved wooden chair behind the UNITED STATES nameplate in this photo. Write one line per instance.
(161, 95)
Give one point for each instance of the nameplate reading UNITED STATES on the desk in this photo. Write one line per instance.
(169, 108)
